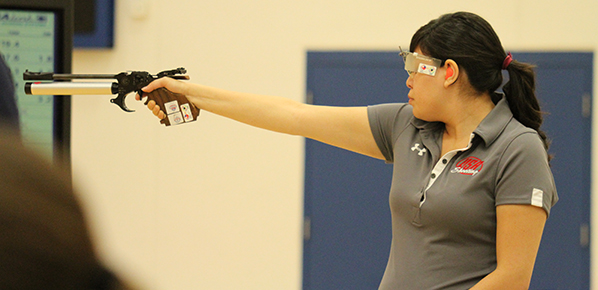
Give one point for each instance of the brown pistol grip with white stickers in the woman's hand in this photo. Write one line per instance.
(177, 107)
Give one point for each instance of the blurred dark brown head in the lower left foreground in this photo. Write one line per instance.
(44, 238)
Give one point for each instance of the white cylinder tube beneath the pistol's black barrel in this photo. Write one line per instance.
(71, 88)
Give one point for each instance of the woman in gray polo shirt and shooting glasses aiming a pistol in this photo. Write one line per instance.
(472, 186)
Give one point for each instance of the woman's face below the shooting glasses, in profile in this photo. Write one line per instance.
(426, 94)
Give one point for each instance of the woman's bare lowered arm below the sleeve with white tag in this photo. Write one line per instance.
(518, 234)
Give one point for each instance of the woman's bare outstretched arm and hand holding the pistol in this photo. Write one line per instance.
(344, 127)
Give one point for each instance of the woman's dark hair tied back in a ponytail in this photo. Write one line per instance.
(472, 43)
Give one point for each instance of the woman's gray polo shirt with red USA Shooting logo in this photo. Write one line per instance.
(444, 207)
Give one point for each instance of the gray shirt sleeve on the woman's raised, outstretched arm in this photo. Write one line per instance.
(384, 119)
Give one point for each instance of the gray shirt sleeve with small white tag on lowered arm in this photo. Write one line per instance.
(524, 175)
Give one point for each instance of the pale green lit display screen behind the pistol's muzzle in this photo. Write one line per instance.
(28, 43)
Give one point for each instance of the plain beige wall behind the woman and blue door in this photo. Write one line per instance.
(217, 204)
